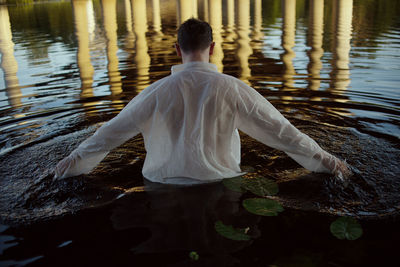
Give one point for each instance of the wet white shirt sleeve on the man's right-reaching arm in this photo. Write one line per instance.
(258, 118)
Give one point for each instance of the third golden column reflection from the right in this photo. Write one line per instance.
(288, 42)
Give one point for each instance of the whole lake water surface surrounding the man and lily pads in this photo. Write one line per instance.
(331, 67)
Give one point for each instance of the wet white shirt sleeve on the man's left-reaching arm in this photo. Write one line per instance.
(110, 135)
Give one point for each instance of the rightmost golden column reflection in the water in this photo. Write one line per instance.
(341, 72)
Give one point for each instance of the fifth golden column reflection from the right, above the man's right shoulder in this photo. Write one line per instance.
(243, 31)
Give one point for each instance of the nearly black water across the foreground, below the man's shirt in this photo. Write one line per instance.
(133, 231)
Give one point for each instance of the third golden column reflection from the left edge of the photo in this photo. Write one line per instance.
(110, 26)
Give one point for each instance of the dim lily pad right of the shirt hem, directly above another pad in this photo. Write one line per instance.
(261, 186)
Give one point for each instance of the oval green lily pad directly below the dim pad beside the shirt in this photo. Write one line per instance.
(262, 206)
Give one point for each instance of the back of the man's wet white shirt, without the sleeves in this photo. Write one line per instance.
(191, 132)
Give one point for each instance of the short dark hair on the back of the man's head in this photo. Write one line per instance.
(194, 35)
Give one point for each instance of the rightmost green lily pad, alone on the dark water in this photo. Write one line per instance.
(346, 228)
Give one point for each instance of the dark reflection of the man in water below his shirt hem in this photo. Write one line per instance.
(183, 218)
